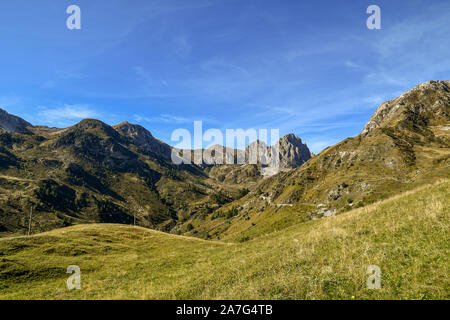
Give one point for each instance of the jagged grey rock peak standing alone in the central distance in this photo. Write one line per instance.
(292, 151)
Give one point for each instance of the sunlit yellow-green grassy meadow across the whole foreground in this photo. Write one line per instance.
(406, 236)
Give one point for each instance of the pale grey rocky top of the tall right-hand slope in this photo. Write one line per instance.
(432, 96)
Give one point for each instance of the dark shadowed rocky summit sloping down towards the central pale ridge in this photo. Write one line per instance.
(142, 137)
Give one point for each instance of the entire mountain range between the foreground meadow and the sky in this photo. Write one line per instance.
(93, 172)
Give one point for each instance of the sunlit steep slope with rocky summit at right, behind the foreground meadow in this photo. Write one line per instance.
(405, 144)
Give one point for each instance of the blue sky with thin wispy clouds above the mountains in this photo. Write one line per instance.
(307, 67)
